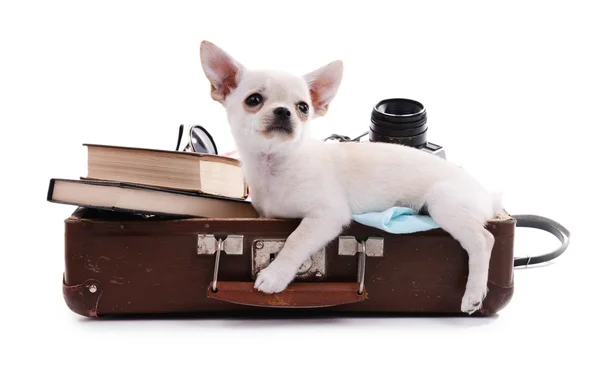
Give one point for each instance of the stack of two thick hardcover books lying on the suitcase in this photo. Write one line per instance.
(157, 182)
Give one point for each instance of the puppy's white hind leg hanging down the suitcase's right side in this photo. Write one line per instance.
(463, 214)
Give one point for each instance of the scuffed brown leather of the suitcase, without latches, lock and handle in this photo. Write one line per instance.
(151, 266)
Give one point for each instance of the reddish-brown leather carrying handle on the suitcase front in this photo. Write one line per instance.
(296, 295)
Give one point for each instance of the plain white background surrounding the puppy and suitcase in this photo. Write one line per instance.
(512, 94)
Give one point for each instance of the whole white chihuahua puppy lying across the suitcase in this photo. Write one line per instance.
(292, 175)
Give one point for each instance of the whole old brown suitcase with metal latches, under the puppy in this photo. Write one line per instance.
(127, 264)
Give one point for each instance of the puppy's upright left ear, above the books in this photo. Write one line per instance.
(221, 69)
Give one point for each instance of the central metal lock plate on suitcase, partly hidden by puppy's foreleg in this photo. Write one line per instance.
(264, 252)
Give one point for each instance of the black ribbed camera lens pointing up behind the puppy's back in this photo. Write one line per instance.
(399, 121)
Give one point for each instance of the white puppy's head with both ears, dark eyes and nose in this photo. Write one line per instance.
(268, 108)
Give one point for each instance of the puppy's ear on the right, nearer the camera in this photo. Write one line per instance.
(323, 84)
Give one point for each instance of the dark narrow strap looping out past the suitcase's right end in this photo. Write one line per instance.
(546, 224)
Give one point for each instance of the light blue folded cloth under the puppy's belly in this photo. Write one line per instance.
(397, 220)
